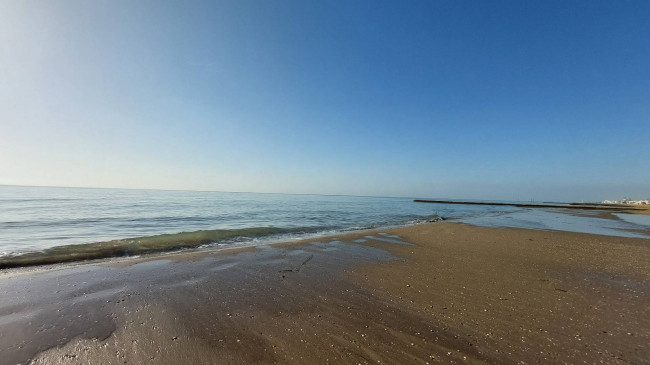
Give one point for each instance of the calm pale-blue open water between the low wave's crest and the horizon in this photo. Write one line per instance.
(38, 218)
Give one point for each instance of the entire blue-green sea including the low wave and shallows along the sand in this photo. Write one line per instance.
(48, 225)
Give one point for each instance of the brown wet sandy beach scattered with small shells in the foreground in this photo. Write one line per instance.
(436, 293)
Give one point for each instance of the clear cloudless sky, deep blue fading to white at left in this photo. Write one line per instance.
(545, 100)
